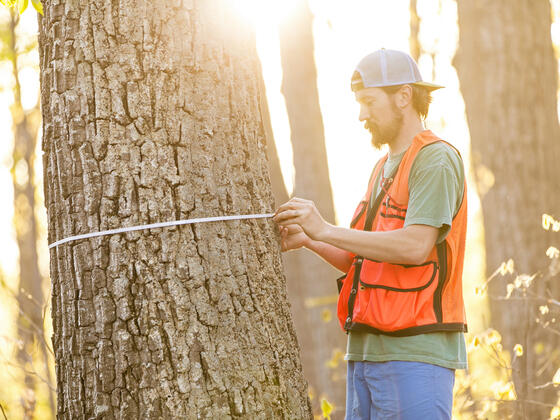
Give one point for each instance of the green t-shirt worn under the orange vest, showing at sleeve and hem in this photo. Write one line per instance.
(436, 186)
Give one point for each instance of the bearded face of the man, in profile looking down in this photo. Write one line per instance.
(381, 115)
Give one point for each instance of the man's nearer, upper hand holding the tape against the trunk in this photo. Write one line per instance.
(302, 212)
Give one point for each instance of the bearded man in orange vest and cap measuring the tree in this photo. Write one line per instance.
(401, 297)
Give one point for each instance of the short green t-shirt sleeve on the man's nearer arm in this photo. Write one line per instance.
(436, 186)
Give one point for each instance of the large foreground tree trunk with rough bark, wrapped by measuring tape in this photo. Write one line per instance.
(151, 113)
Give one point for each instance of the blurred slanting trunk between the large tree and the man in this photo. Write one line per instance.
(309, 278)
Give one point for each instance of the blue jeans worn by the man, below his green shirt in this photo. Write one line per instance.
(398, 390)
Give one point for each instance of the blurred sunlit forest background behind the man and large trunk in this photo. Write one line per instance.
(319, 150)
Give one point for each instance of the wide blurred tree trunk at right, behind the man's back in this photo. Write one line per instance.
(508, 76)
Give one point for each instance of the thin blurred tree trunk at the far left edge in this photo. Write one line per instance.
(30, 292)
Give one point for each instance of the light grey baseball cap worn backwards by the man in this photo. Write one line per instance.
(388, 68)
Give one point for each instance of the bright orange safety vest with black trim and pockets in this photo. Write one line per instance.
(403, 299)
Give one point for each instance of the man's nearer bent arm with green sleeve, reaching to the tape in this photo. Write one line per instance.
(436, 192)
